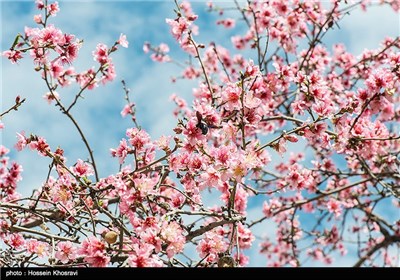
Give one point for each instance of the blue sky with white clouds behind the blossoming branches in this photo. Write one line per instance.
(99, 113)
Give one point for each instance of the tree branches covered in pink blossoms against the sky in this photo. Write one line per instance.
(151, 212)
